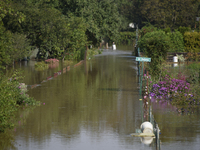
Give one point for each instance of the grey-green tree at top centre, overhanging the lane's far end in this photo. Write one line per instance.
(101, 17)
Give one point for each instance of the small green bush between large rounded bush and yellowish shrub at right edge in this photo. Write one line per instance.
(176, 41)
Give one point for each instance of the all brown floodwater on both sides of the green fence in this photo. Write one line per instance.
(94, 106)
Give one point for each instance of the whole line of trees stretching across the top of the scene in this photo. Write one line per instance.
(57, 27)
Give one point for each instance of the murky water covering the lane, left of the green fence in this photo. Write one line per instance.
(92, 106)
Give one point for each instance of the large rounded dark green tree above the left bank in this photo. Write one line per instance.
(50, 33)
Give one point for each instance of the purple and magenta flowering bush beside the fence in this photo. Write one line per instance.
(177, 91)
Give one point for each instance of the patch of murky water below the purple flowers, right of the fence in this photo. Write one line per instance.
(177, 129)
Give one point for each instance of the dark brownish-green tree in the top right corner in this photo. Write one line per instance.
(172, 13)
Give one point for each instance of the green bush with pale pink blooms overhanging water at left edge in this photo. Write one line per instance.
(13, 94)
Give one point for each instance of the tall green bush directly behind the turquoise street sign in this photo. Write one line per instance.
(155, 45)
